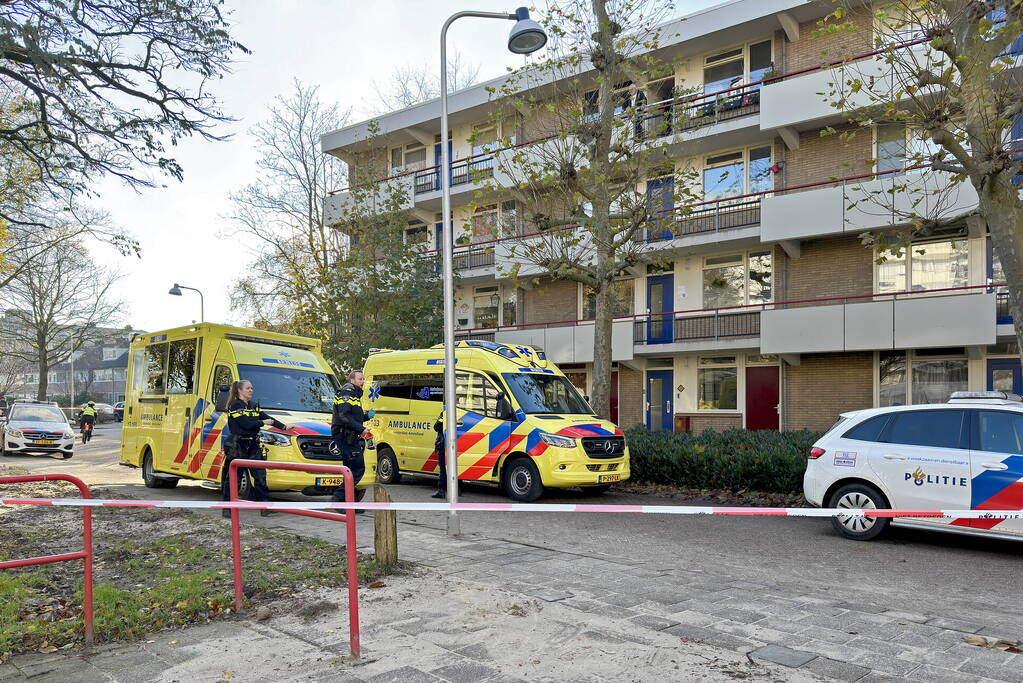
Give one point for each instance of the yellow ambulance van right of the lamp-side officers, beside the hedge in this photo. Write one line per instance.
(521, 422)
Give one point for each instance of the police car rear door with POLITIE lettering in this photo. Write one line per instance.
(923, 458)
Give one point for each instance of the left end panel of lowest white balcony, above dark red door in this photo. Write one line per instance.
(813, 330)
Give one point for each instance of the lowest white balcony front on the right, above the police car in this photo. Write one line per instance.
(955, 317)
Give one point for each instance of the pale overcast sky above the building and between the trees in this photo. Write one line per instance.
(341, 47)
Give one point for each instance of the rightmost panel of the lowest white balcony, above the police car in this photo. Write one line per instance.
(946, 322)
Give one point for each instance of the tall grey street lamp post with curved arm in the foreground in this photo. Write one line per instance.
(526, 37)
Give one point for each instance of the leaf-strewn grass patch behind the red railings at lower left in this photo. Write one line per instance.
(154, 570)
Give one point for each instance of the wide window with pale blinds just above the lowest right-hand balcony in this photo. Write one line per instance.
(926, 266)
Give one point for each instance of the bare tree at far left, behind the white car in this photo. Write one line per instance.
(55, 308)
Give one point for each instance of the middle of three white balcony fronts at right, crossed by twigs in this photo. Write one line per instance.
(860, 204)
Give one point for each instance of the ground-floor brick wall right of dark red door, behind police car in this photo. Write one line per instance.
(823, 386)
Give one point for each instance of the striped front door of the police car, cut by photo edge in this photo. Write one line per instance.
(998, 469)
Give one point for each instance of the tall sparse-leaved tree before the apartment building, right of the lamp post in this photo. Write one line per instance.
(579, 191)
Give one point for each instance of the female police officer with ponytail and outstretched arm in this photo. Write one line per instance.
(245, 420)
